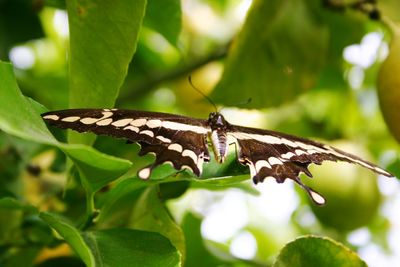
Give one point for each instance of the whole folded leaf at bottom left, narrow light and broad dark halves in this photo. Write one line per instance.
(116, 247)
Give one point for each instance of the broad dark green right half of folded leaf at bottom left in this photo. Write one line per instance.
(125, 247)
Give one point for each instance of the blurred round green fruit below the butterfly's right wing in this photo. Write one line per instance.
(351, 193)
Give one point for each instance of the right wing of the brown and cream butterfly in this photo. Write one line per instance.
(282, 156)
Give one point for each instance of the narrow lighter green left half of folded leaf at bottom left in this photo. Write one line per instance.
(71, 235)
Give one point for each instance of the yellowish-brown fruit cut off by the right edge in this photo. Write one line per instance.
(389, 88)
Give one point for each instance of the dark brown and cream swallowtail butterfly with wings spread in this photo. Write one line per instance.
(182, 142)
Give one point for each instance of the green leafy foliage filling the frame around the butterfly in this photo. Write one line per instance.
(69, 199)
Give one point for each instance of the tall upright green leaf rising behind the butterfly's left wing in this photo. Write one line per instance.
(103, 37)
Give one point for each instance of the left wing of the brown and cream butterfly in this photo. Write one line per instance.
(178, 140)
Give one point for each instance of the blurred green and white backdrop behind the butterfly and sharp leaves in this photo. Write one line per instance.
(319, 84)
